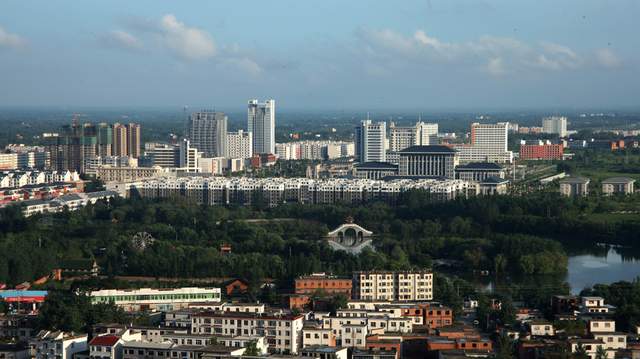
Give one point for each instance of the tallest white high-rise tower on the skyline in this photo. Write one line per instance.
(261, 121)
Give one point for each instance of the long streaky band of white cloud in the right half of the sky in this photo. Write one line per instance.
(496, 55)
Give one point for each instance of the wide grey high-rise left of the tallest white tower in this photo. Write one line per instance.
(207, 131)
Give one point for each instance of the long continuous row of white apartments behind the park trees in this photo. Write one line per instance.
(243, 190)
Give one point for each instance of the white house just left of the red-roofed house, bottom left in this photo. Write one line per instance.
(57, 345)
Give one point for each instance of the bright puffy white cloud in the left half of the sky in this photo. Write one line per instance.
(189, 43)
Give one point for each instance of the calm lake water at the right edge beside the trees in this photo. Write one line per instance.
(586, 270)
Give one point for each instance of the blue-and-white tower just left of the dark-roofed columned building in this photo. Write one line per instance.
(370, 141)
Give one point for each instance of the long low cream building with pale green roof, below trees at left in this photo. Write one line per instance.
(162, 299)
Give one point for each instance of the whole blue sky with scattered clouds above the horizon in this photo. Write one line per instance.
(355, 54)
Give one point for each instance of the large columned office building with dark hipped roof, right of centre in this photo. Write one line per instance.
(428, 161)
